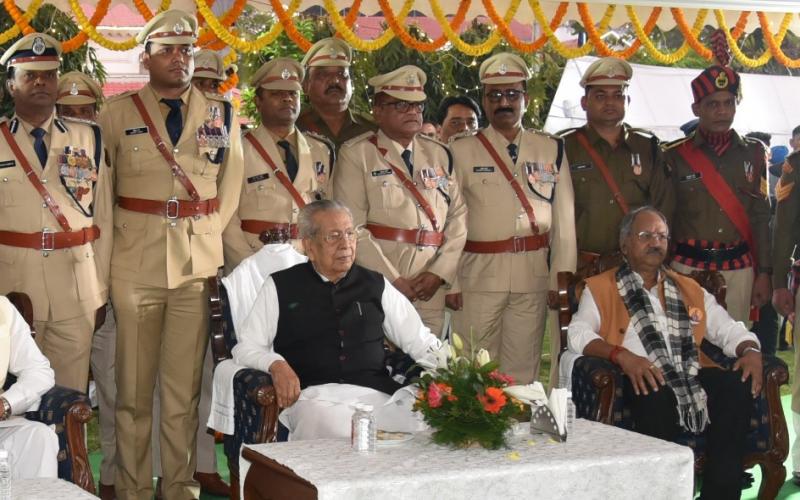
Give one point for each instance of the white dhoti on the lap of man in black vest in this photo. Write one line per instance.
(325, 411)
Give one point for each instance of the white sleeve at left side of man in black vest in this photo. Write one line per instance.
(254, 347)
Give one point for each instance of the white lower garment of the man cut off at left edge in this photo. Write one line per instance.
(32, 448)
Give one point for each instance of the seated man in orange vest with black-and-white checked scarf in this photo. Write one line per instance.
(655, 324)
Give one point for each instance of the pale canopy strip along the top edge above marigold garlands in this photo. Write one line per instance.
(774, 8)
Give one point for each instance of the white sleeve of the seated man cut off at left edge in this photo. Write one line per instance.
(29, 365)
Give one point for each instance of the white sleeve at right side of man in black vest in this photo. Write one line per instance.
(404, 327)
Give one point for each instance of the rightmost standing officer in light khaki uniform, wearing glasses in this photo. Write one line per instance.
(517, 186)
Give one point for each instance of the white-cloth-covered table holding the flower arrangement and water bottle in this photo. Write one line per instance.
(597, 462)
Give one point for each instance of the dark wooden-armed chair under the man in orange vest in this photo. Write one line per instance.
(597, 391)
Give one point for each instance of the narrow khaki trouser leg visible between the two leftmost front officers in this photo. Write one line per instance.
(104, 346)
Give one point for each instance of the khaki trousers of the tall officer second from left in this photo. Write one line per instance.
(161, 333)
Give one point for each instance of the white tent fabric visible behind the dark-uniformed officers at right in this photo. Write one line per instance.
(661, 102)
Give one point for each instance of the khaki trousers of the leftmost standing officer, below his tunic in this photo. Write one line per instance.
(67, 345)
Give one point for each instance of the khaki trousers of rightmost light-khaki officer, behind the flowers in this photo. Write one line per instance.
(508, 325)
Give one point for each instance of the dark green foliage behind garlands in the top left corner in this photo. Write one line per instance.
(61, 26)
